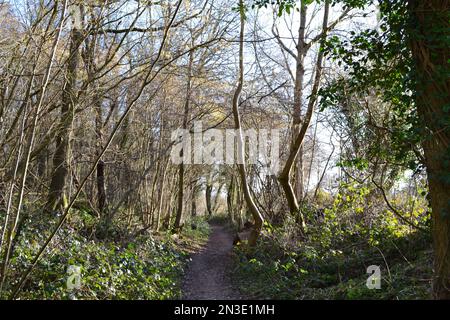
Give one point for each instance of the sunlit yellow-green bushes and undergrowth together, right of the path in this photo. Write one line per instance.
(355, 230)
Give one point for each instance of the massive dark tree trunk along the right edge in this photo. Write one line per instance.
(429, 36)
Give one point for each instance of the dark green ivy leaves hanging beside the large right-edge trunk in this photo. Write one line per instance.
(378, 62)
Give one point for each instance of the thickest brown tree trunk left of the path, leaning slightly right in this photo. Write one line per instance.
(69, 96)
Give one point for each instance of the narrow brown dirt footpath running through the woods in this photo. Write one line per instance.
(207, 277)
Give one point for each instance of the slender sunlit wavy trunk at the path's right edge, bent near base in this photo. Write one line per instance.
(257, 217)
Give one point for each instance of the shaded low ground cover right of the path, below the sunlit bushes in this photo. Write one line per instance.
(308, 269)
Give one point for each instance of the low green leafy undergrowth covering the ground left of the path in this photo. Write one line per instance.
(145, 266)
